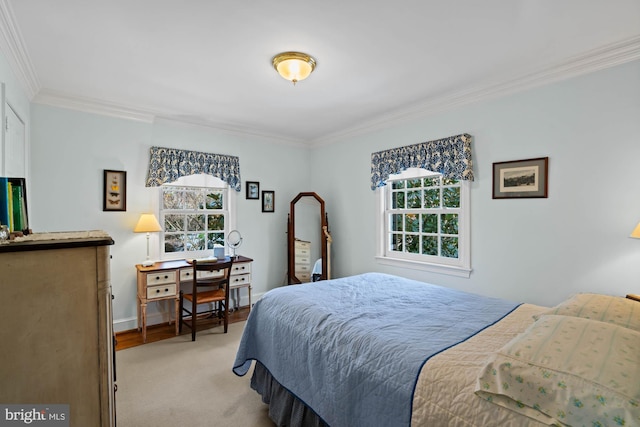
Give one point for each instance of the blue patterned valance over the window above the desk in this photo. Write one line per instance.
(169, 164)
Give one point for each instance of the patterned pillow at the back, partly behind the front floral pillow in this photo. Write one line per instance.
(617, 310)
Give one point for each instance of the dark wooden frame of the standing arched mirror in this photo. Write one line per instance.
(324, 231)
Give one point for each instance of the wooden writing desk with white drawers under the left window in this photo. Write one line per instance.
(161, 281)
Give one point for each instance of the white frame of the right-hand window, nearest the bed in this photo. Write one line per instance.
(459, 267)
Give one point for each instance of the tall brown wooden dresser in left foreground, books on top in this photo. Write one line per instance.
(56, 334)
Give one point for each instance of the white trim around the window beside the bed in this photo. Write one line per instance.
(462, 268)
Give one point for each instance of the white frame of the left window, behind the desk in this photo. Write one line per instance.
(197, 181)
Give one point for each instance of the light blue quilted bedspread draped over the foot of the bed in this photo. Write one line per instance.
(352, 348)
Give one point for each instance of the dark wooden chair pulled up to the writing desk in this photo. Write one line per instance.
(207, 290)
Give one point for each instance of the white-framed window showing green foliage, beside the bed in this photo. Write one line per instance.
(423, 222)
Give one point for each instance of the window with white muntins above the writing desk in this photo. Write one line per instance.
(194, 219)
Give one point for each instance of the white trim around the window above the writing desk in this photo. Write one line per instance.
(200, 180)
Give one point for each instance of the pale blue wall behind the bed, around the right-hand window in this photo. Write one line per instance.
(534, 250)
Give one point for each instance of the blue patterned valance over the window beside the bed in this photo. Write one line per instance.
(449, 156)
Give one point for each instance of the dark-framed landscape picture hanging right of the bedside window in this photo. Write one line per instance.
(519, 179)
